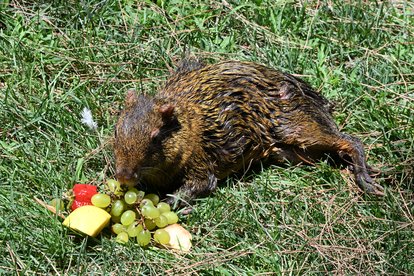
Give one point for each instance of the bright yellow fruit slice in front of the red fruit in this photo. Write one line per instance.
(87, 219)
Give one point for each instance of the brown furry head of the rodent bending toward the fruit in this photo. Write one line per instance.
(142, 128)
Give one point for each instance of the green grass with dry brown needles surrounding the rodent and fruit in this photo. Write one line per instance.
(56, 59)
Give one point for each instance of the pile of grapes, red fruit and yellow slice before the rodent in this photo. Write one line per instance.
(134, 215)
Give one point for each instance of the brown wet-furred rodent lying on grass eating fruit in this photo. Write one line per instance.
(210, 121)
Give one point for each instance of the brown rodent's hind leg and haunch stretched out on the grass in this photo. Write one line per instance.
(305, 123)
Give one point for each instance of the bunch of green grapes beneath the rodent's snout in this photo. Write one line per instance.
(134, 214)
